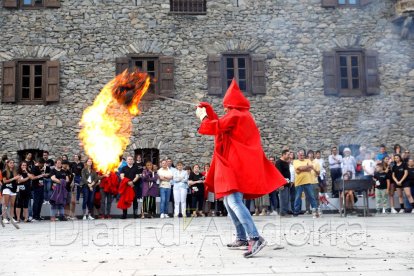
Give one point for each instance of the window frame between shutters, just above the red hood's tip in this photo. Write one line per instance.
(248, 68)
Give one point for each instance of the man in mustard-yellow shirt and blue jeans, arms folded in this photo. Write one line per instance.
(303, 182)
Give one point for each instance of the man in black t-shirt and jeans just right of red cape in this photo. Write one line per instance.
(282, 164)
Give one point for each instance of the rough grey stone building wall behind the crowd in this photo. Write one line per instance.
(289, 46)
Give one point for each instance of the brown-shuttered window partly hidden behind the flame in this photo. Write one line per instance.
(160, 68)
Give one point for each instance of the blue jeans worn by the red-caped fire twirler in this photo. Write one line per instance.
(240, 216)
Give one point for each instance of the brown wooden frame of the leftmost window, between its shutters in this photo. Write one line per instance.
(19, 82)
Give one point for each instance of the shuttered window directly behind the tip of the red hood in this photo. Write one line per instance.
(247, 69)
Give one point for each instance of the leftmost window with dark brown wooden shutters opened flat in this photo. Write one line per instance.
(30, 81)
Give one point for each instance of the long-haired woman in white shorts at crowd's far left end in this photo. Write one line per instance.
(9, 189)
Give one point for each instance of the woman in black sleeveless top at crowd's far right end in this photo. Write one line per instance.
(399, 174)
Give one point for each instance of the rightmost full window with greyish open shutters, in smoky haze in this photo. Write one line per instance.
(351, 73)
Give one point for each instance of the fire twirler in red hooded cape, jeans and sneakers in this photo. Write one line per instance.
(239, 168)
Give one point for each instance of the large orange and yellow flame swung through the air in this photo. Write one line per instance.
(106, 125)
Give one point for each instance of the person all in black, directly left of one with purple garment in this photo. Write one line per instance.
(38, 188)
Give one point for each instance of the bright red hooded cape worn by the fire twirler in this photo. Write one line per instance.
(239, 163)
